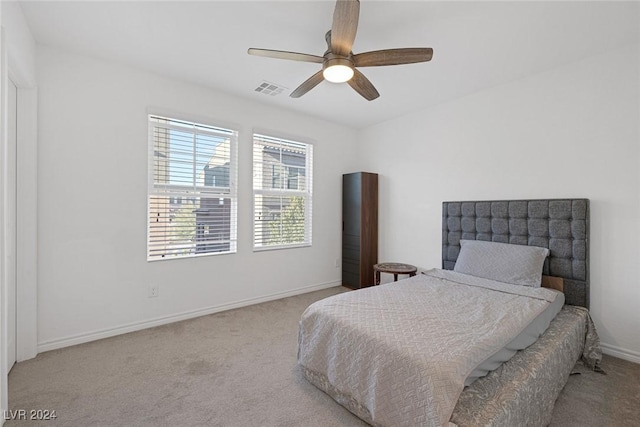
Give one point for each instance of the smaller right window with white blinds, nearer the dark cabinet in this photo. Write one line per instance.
(282, 188)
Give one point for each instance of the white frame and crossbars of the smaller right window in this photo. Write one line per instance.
(307, 193)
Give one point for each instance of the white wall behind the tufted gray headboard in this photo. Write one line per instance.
(569, 132)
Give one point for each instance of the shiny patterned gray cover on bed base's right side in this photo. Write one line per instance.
(522, 391)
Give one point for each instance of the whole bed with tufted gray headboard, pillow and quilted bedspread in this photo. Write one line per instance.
(377, 352)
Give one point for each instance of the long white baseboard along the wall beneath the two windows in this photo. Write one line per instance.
(132, 327)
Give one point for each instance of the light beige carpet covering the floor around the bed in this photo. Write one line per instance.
(238, 368)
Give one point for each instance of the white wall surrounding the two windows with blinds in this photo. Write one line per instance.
(93, 273)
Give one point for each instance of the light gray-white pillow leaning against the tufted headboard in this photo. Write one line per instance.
(516, 264)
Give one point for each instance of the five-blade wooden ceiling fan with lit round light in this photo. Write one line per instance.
(339, 62)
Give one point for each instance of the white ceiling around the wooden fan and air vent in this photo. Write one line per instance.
(476, 45)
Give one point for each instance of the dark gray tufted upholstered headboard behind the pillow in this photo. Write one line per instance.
(562, 225)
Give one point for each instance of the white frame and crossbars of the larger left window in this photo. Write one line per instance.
(183, 192)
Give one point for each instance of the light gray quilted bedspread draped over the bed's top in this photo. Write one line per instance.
(400, 356)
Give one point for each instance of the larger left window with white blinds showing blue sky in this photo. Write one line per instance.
(192, 191)
